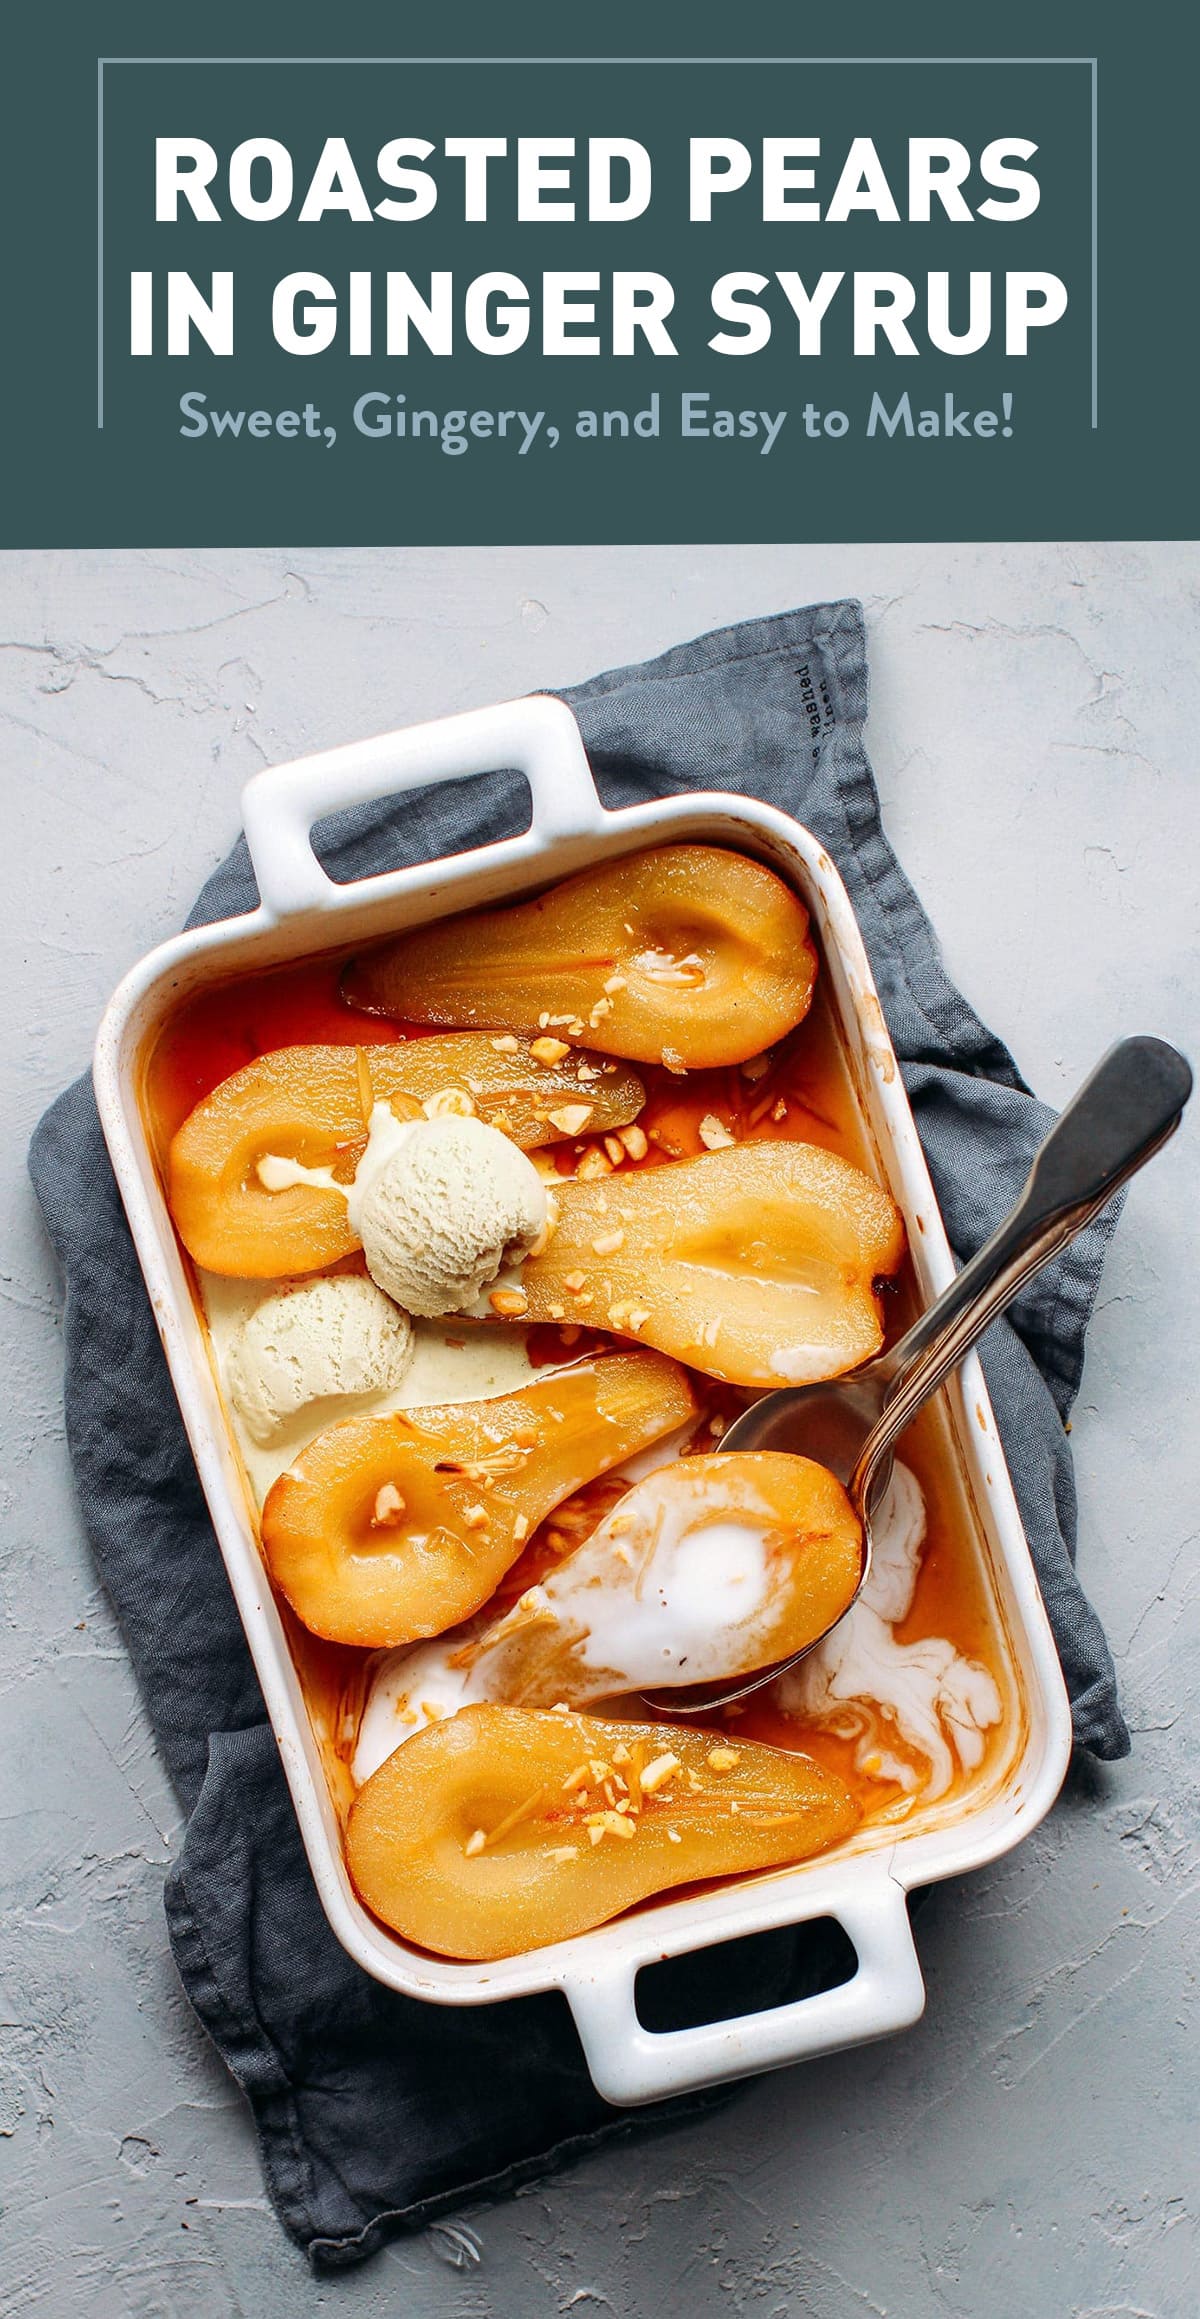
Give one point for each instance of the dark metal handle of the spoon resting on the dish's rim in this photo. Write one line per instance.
(1115, 1124)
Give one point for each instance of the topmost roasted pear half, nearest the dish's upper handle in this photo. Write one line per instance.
(684, 954)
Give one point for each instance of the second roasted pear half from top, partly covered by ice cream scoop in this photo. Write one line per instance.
(312, 1105)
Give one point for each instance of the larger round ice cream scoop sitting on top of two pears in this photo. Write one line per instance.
(442, 1207)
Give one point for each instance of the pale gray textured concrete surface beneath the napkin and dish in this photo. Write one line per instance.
(1032, 2146)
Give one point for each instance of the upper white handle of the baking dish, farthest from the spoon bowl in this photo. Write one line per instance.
(535, 736)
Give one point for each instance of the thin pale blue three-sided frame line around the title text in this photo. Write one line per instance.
(841, 61)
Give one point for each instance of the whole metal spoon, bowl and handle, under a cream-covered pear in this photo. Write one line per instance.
(1115, 1124)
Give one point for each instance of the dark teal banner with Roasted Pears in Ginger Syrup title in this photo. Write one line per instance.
(537, 296)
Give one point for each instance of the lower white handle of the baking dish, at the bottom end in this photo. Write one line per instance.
(632, 2065)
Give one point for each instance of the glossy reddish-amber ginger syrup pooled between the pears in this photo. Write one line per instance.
(802, 1093)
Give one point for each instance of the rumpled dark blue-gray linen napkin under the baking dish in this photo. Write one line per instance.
(377, 2111)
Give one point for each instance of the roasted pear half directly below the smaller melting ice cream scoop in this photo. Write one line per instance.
(389, 1529)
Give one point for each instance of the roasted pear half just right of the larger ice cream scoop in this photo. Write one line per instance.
(756, 1265)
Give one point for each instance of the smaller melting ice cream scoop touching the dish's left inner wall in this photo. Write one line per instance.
(328, 1339)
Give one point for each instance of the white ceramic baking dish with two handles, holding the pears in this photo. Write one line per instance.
(867, 1882)
